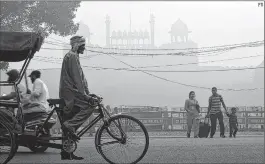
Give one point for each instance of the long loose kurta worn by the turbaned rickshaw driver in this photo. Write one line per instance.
(73, 85)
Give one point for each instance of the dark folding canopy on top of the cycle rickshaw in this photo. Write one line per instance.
(17, 46)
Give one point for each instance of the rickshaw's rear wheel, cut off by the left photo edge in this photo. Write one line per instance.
(7, 143)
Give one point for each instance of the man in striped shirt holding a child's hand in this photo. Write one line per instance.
(214, 112)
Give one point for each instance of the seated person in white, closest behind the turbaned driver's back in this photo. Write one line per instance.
(37, 104)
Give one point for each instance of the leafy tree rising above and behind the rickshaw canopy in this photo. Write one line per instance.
(48, 16)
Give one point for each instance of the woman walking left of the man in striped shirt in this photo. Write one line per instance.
(193, 109)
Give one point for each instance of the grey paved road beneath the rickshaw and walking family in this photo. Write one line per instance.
(168, 150)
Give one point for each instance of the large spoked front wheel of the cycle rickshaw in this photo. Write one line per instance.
(124, 140)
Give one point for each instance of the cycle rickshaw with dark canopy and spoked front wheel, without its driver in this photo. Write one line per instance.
(115, 130)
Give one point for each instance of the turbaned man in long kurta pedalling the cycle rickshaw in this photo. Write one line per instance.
(74, 91)
